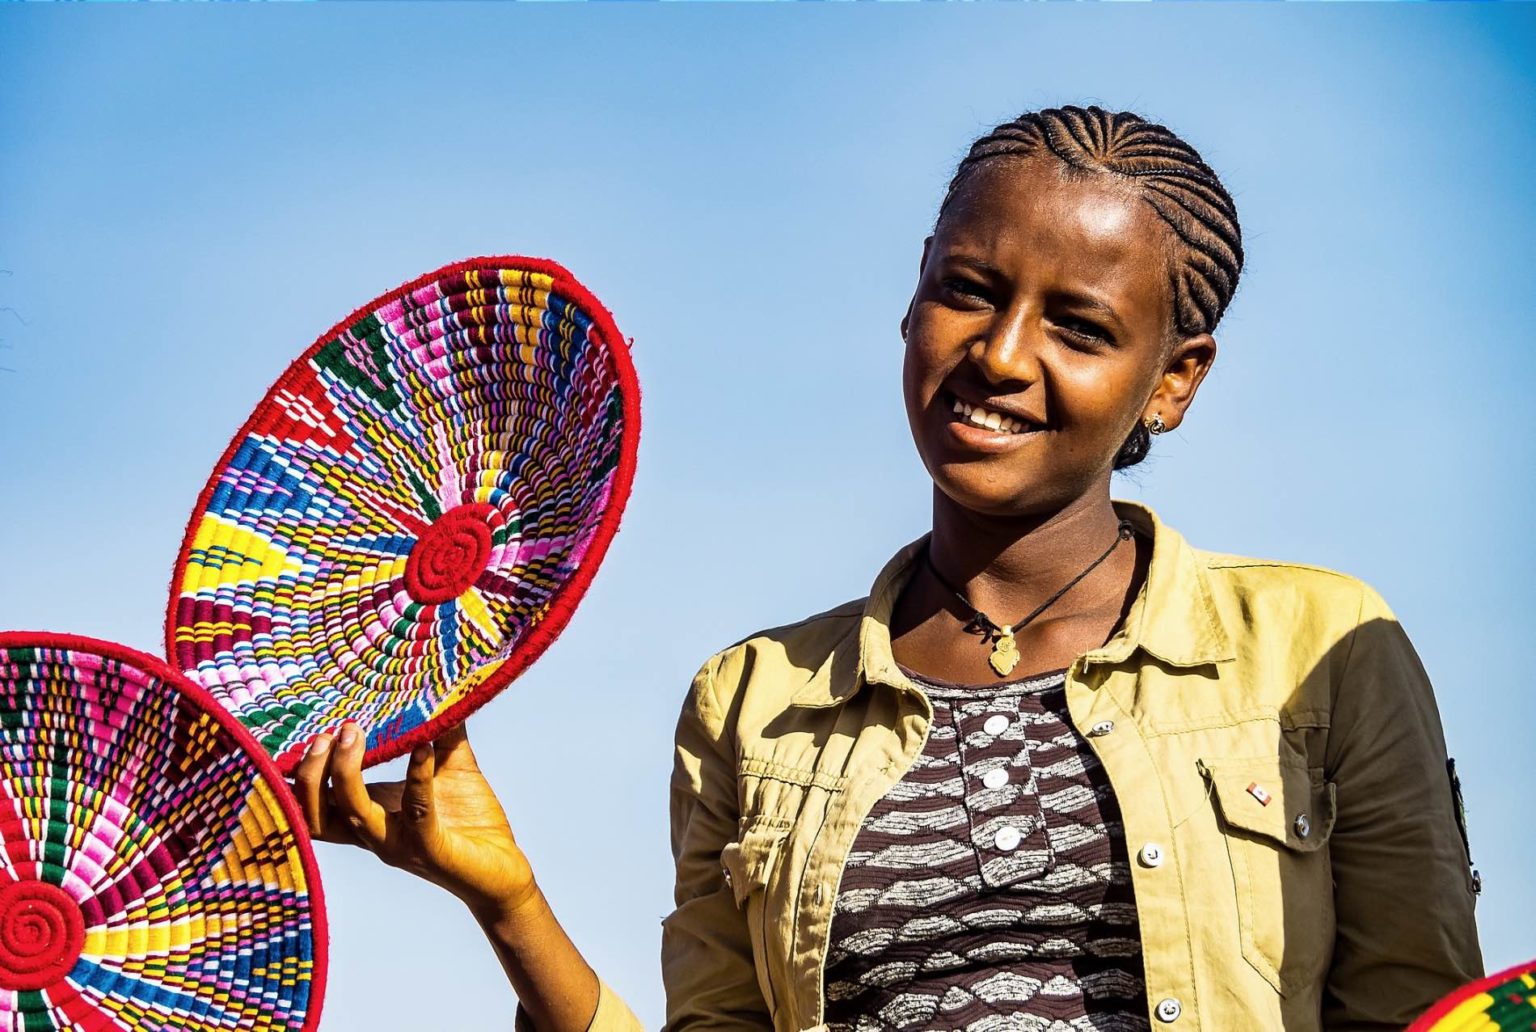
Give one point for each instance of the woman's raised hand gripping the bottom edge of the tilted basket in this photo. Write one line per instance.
(443, 822)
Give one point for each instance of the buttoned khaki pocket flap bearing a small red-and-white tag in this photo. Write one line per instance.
(1274, 801)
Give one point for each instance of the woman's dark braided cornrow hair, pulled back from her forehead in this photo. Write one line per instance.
(1174, 182)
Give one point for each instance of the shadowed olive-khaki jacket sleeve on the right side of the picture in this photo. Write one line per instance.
(1402, 879)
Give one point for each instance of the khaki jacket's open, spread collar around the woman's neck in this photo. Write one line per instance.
(1174, 618)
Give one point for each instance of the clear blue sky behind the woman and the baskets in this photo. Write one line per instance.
(190, 196)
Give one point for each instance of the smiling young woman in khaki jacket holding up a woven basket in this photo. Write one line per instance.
(1217, 798)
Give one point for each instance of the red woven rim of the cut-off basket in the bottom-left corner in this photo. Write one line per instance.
(265, 767)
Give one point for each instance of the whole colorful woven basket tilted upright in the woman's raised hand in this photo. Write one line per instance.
(414, 511)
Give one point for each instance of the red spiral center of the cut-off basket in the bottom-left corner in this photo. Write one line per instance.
(42, 933)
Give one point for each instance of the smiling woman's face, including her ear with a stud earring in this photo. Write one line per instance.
(1042, 314)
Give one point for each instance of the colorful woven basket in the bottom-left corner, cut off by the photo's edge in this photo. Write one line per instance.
(154, 870)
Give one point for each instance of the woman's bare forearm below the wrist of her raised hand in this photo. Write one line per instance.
(555, 985)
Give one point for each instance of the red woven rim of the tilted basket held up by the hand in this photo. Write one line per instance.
(566, 598)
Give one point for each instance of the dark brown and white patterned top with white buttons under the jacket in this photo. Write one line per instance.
(991, 887)
